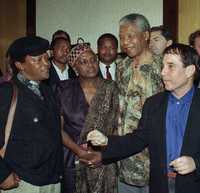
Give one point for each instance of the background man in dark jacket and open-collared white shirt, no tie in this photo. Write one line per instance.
(59, 69)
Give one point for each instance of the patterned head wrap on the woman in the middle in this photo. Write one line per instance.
(76, 52)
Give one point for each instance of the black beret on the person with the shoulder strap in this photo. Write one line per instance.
(29, 45)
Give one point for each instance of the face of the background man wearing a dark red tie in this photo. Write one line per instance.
(107, 51)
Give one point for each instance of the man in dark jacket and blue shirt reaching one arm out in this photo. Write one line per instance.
(169, 127)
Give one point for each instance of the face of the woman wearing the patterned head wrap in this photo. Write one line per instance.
(87, 65)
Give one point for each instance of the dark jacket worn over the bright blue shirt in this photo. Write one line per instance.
(151, 133)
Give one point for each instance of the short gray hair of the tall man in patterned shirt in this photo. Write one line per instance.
(138, 19)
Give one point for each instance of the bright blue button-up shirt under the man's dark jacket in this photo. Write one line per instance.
(176, 120)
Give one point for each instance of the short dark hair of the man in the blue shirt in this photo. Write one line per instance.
(189, 56)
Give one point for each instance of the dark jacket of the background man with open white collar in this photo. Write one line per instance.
(54, 78)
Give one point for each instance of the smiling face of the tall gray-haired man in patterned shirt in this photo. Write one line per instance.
(132, 40)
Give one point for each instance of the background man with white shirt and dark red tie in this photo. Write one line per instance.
(107, 45)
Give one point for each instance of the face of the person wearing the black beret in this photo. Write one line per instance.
(35, 67)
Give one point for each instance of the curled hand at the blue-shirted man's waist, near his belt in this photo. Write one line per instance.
(183, 165)
